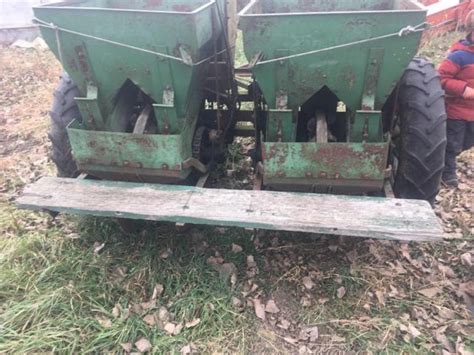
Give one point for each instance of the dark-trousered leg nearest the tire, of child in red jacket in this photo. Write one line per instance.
(455, 135)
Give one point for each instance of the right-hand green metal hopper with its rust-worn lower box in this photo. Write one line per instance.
(315, 55)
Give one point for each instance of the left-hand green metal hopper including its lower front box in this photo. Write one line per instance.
(116, 49)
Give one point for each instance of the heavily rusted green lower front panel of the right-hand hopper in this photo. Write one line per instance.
(336, 161)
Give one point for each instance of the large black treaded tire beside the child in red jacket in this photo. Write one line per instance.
(422, 145)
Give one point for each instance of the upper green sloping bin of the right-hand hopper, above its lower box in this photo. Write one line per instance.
(300, 28)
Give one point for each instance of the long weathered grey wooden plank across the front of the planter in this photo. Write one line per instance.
(328, 214)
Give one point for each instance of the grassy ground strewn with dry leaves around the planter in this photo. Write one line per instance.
(75, 284)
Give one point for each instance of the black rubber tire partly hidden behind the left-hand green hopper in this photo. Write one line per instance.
(64, 111)
